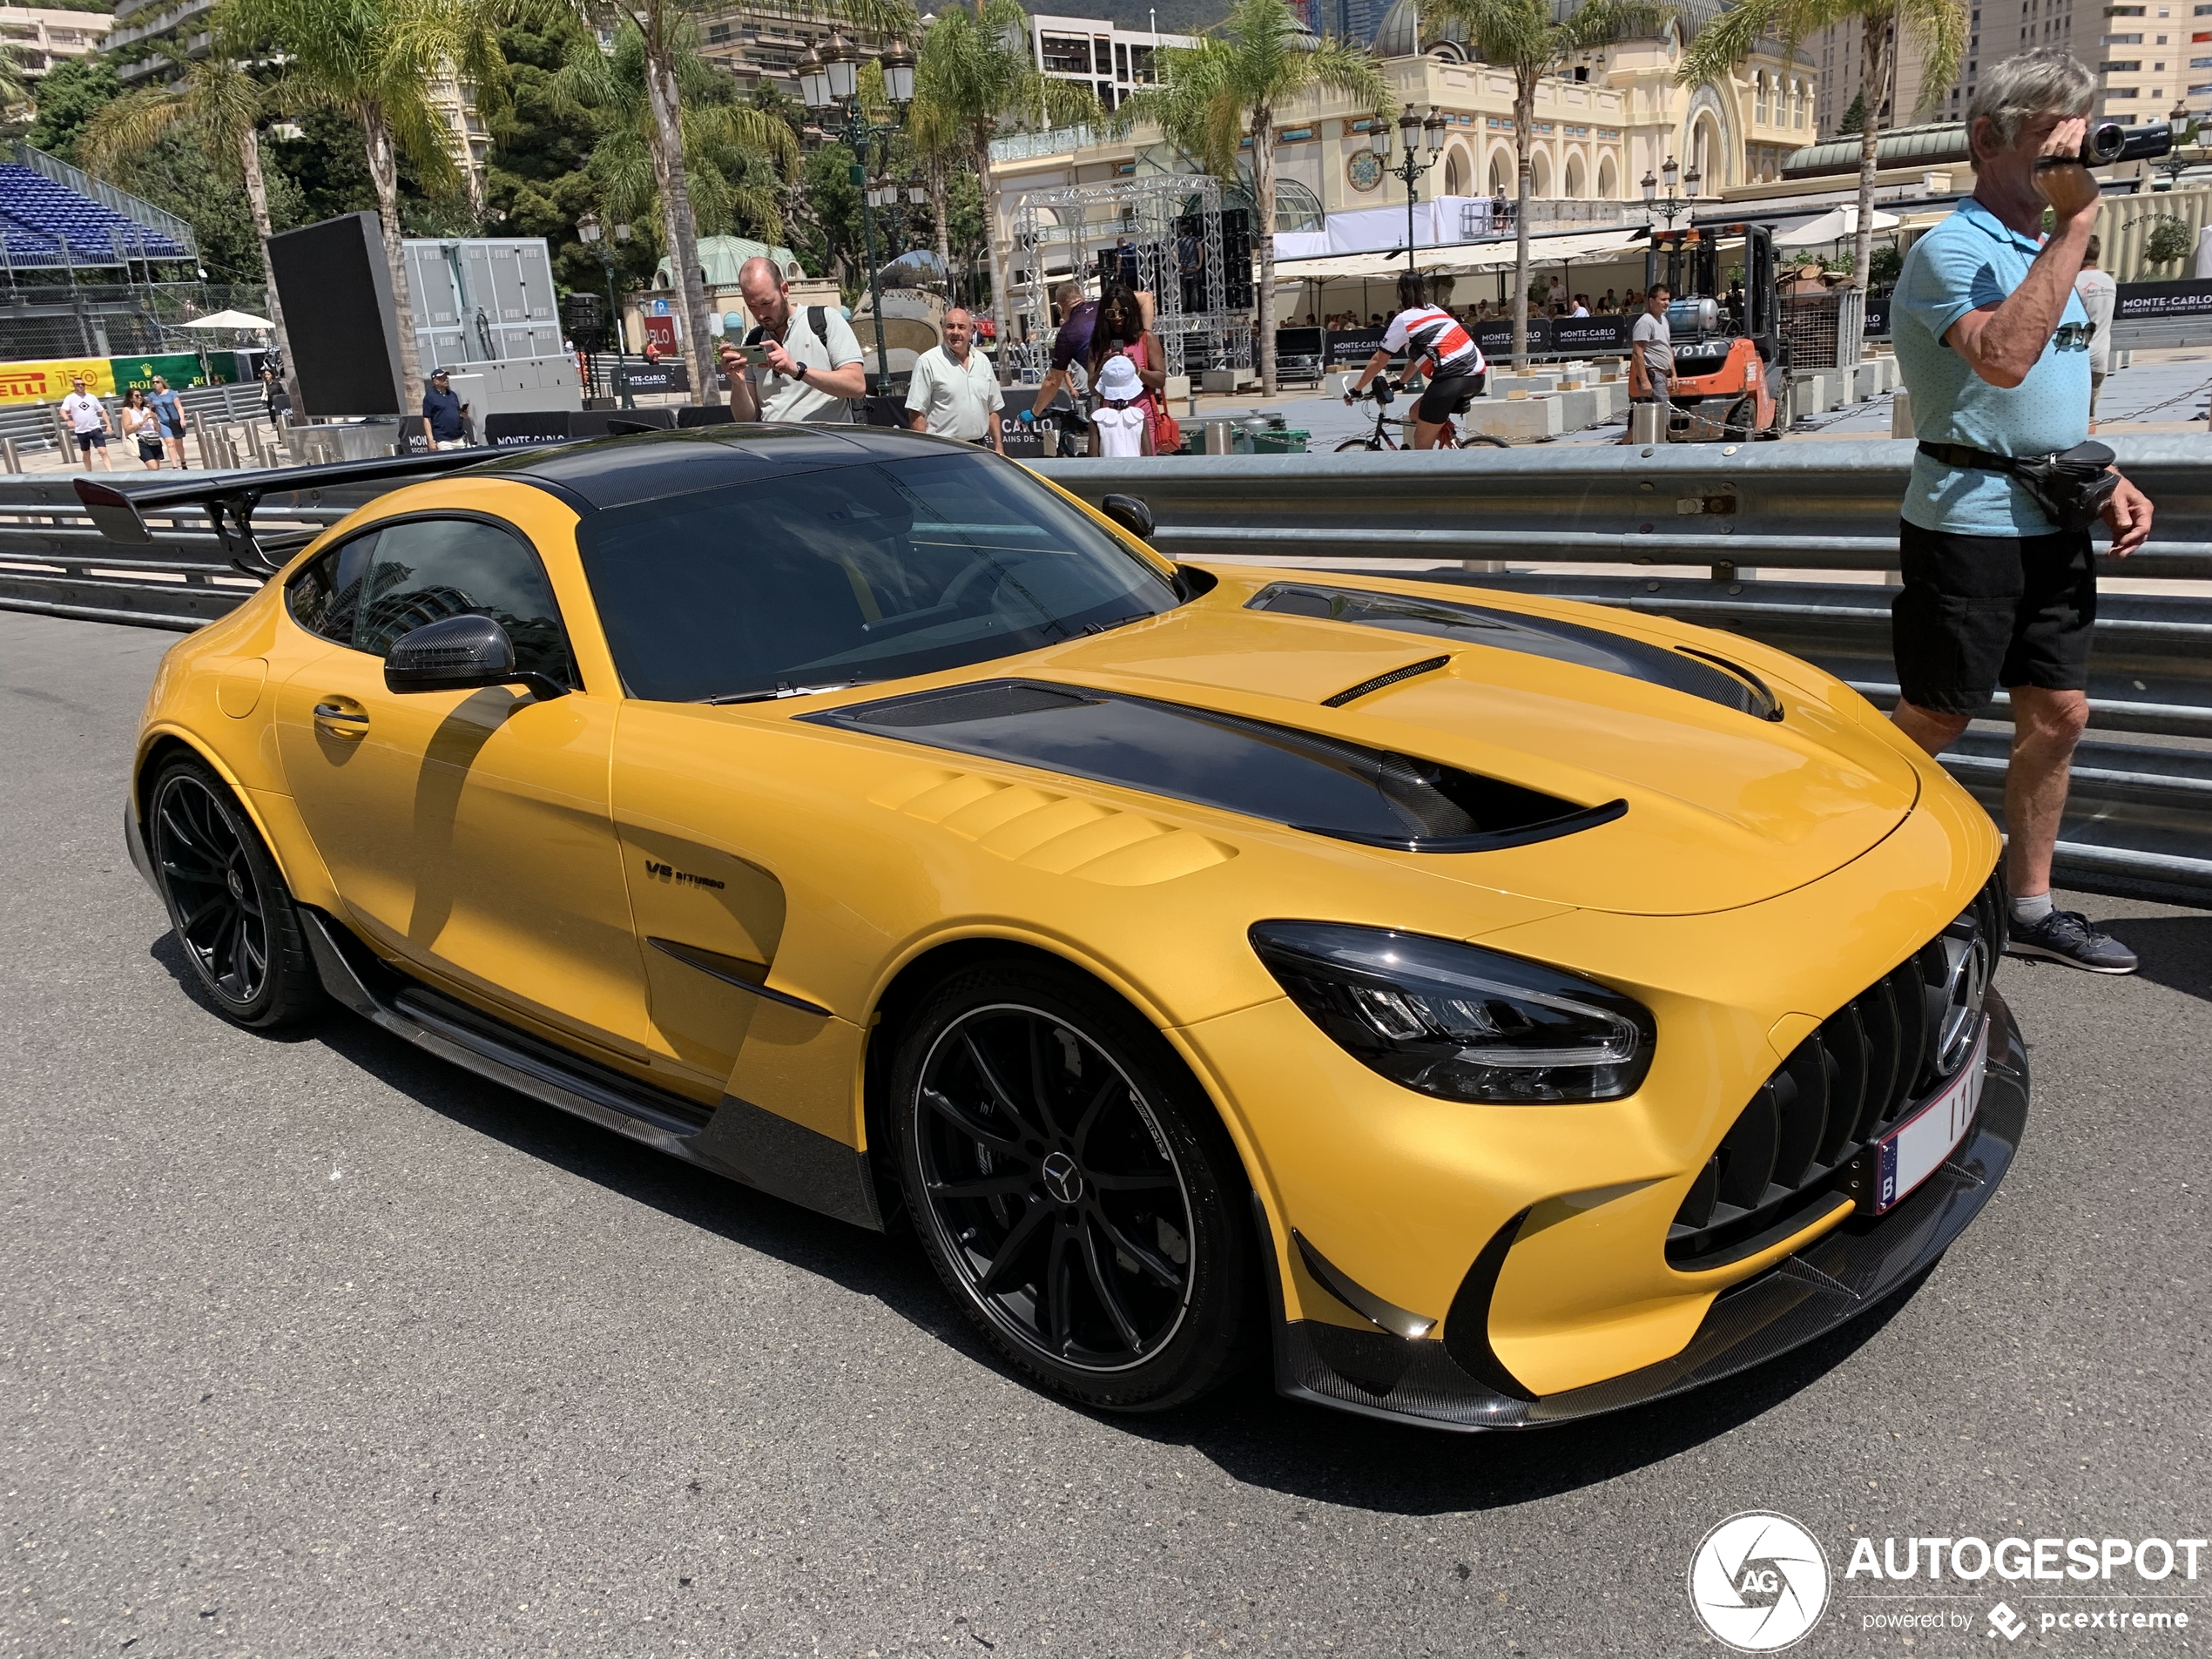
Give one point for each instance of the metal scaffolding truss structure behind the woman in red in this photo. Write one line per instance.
(1171, 227)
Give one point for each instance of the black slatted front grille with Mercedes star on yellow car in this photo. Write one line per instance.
(1793, 1149)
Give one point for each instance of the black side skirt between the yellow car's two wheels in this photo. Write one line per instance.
(738, 1140)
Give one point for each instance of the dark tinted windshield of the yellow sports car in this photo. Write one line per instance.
(853, 574)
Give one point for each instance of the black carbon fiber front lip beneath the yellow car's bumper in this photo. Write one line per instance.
(1813, 1293)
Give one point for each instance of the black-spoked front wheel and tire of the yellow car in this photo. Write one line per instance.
(1074, 1187)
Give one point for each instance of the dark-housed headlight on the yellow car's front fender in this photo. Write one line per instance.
(1461, 1023)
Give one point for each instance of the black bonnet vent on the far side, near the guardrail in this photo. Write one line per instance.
(1695, 674)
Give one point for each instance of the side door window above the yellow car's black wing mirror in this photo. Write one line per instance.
(446, 567)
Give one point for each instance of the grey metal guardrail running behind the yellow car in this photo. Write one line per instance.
(1682, 530)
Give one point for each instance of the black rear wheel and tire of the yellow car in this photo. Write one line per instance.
(227, 904)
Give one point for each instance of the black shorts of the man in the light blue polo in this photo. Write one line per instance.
(1985, 612)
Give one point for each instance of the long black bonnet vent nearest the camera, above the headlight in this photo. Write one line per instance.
(1302, 780)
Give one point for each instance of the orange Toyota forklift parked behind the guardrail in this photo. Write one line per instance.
(1729, 353)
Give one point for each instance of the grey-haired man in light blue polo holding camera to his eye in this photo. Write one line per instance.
(1994, 536)
